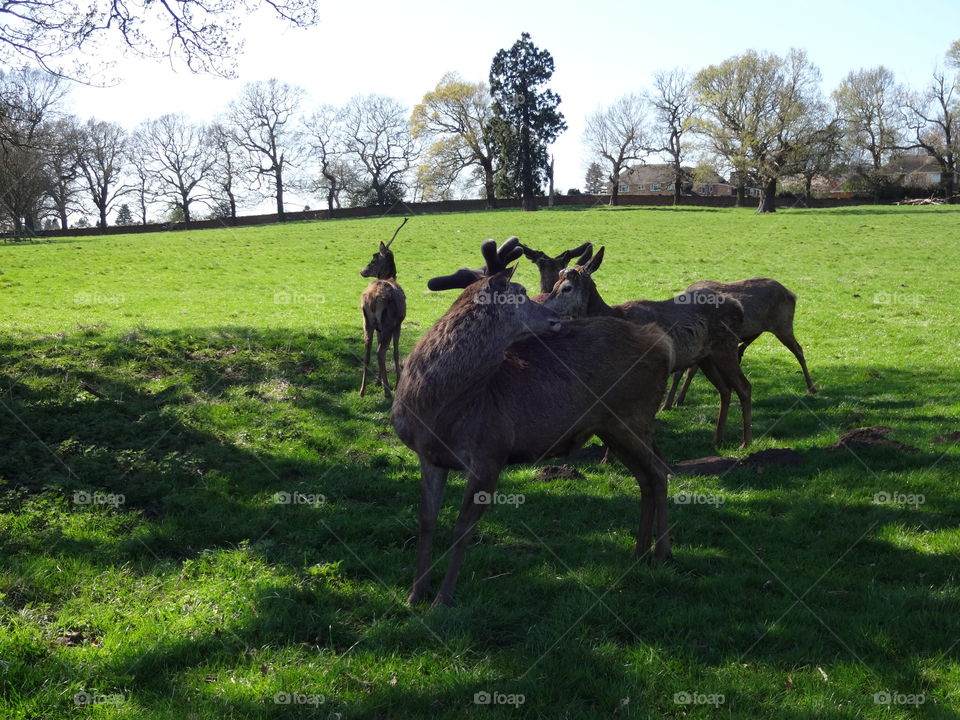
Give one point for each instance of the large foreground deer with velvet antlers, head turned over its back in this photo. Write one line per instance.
(500, 380)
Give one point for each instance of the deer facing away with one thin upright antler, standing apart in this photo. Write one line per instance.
(383, 306)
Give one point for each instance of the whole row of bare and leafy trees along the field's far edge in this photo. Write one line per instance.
(758, 118)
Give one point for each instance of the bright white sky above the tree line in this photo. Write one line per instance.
(601, 51)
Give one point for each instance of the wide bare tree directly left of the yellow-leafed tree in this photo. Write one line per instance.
(378, 138)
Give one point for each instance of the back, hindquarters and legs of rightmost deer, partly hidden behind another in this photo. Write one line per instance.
(767, 307)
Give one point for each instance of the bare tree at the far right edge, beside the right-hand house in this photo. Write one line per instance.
(933, 117)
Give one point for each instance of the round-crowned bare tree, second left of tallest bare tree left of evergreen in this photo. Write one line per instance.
(180, 160)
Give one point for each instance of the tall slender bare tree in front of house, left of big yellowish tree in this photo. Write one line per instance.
(674, 108)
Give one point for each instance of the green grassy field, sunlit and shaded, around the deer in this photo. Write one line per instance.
(160, 393)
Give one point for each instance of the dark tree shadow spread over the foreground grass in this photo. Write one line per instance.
(779, 579)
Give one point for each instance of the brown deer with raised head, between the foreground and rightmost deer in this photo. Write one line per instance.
(703, 325)
